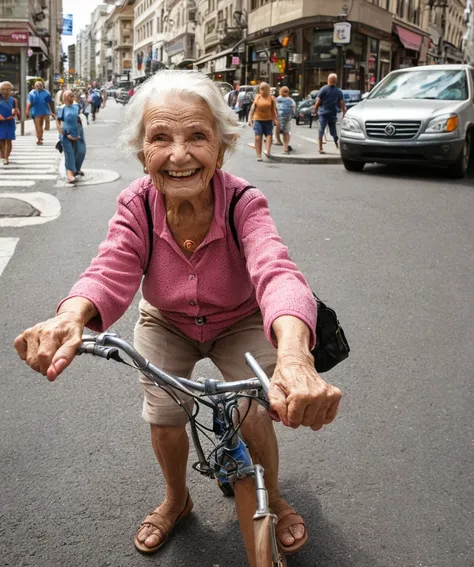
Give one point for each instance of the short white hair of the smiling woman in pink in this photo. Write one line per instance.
(177, 83)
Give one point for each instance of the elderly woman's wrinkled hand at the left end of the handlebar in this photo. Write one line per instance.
(51, 346)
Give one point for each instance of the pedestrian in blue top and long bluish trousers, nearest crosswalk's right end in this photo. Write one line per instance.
(72, 136)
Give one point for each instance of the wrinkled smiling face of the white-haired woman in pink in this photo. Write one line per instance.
(181, 146)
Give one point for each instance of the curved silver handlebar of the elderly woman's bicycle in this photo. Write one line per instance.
(109, 345)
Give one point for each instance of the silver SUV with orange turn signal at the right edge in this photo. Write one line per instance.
(421, 115)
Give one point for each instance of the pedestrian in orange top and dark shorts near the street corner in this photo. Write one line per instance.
(263, 116)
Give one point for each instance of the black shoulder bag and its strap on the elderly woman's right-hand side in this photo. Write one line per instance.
(331, 343)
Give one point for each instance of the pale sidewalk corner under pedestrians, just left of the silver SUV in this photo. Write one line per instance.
(304, 141)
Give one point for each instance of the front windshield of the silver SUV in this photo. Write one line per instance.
(424, 84)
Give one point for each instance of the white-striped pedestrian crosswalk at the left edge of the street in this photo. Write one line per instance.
(30, 163)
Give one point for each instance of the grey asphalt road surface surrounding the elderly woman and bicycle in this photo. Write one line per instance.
(389, 484)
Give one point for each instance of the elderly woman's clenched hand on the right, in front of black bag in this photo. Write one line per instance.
(299, 396)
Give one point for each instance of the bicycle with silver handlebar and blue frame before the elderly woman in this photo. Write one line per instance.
(229, 462)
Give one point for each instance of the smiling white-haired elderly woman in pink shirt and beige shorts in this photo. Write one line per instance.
(202, 296)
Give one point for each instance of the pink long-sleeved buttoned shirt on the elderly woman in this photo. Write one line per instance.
(217, 286)
